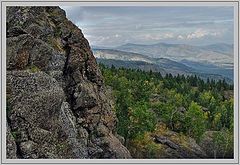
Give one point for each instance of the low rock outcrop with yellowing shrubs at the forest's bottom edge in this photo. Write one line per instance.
(166, 144)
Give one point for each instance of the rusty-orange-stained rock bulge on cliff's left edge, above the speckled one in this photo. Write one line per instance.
(25, 51)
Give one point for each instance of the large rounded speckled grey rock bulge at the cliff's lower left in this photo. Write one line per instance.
(35, 100)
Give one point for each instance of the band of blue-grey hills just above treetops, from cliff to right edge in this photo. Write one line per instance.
(163, 65)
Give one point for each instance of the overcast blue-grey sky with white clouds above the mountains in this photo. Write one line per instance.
(113, 26)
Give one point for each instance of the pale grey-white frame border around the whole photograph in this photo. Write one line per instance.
(235, 4)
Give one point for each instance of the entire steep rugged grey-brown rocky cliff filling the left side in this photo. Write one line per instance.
(57, 104)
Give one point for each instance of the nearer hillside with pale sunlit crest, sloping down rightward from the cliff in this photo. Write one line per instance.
(163, 65)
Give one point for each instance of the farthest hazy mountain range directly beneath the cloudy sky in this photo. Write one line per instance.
(219, 54)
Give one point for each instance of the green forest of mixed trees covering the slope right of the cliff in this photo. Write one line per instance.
(147, 103)
